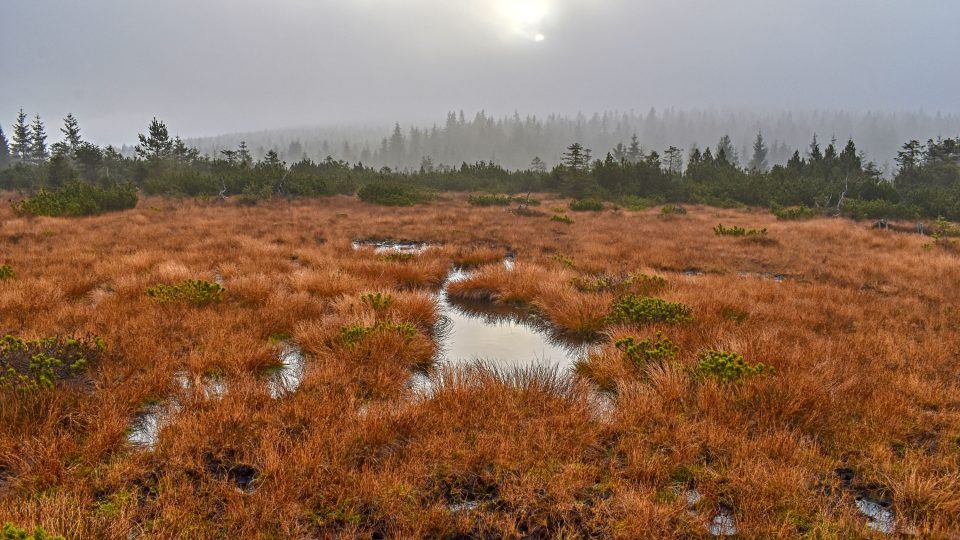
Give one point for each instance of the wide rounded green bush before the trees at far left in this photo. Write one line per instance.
(78, 199)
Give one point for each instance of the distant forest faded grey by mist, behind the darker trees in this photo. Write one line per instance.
(512, 140)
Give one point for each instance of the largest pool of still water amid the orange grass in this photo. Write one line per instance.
(499, 336)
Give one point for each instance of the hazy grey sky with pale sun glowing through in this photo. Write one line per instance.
(214, 66)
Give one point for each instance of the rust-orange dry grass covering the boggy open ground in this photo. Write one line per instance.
(859, 328)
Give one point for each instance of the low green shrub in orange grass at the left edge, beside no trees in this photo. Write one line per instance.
(38, 365)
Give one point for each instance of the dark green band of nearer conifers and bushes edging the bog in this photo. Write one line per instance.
(830, 178)
